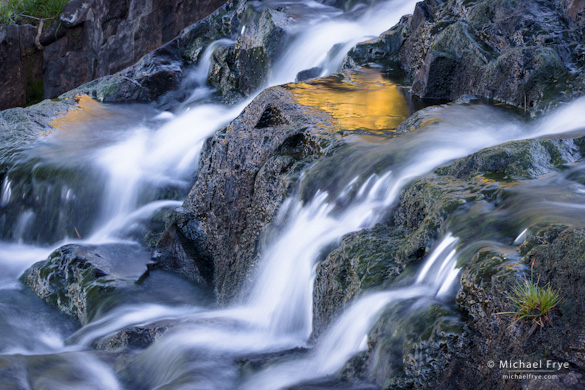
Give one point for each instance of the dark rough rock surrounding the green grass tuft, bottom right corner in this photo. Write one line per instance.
(556, 255)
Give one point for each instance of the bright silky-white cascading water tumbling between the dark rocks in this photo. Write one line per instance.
(160, 153)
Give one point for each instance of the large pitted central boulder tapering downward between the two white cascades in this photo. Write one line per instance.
(246, 171)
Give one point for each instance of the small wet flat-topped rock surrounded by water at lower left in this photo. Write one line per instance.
(80, 280)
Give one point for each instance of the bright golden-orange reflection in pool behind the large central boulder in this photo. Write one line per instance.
(365, 101)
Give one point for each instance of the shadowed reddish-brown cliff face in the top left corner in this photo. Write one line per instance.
(92, 39)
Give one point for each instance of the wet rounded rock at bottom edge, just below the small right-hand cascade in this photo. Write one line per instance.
(408, 347)
